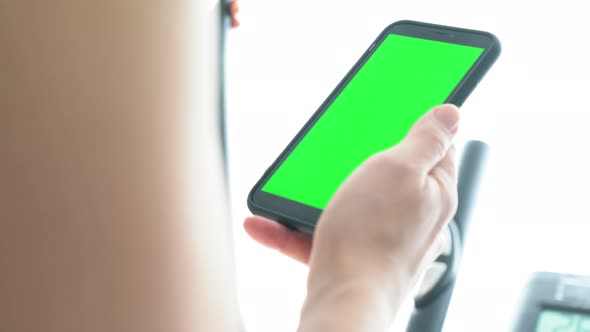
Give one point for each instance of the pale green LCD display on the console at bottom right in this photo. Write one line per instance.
(561, 321)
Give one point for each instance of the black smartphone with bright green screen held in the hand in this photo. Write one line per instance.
(410, 68)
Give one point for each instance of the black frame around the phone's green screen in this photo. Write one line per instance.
(301, 217)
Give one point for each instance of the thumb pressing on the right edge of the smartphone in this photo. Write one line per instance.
(429, 139)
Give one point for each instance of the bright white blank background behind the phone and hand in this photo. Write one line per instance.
(531, 109)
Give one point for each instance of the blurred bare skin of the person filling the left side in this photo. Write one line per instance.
(105, 203)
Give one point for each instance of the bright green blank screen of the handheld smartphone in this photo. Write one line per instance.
(400, 82)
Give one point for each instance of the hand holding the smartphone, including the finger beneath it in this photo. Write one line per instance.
(379, 232)
